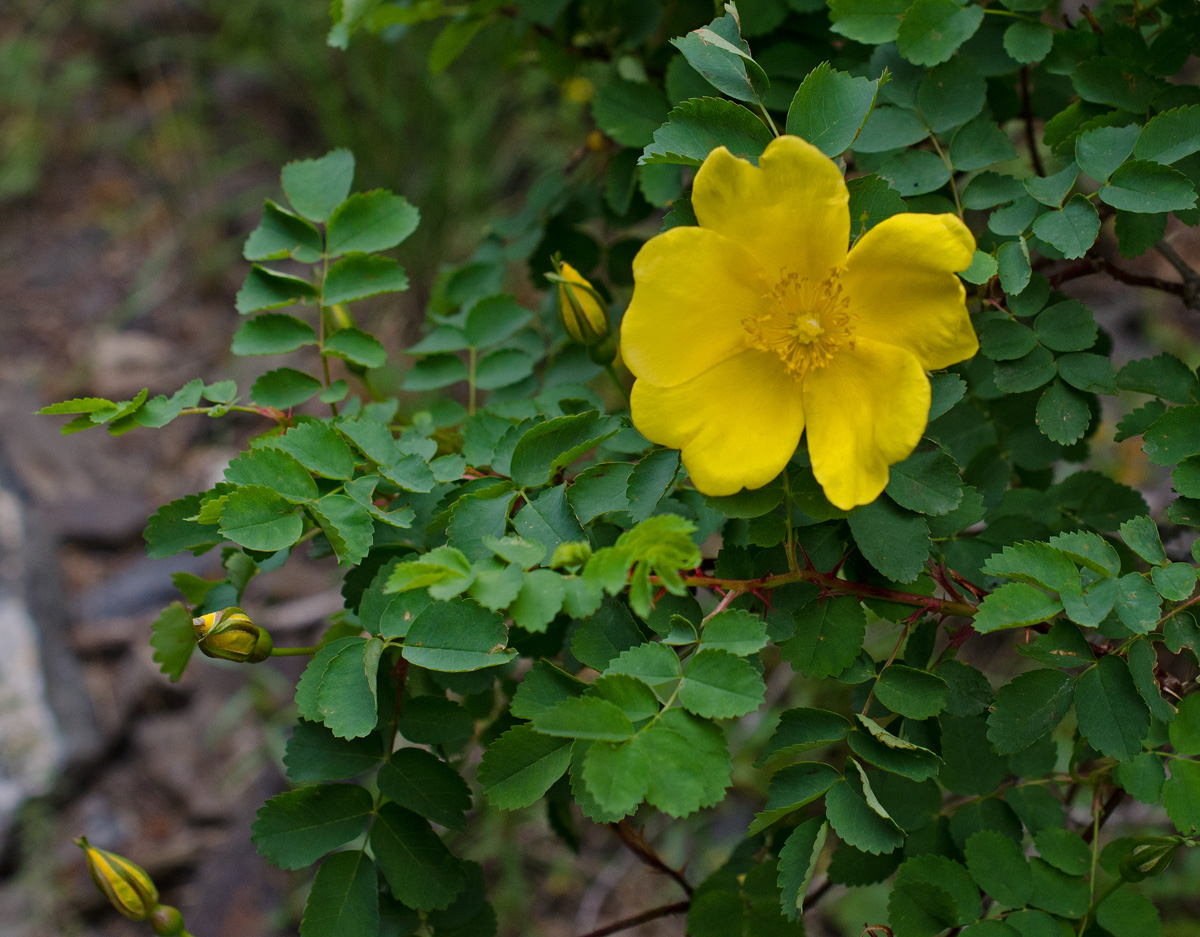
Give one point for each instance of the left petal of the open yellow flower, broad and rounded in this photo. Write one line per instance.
(693, 291)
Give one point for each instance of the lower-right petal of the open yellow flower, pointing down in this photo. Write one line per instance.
(866, 411)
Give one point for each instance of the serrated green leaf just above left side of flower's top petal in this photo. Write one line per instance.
(697, 128)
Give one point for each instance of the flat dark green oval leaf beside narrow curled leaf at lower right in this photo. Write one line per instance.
(1112, 716)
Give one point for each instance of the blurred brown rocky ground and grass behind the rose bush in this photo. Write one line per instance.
(137, 143)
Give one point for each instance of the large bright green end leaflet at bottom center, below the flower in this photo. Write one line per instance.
(689, 764)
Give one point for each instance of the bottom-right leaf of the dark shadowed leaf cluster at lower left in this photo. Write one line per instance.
(419, 869)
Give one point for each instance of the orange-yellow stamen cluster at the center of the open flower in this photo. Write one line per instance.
(803, 321)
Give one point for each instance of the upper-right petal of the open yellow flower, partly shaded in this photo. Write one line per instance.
(902, 285)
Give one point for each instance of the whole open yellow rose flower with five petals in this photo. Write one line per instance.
(760, 325)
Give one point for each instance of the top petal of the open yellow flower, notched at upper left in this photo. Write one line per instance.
(790, 212)
